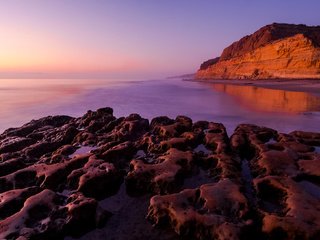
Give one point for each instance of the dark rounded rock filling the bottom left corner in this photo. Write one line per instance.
(46, 216)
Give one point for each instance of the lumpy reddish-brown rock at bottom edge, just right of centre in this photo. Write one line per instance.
(214, 211)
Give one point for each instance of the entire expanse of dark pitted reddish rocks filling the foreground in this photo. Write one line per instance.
(59, 177)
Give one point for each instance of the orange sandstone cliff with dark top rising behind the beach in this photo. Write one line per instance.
(274, 51)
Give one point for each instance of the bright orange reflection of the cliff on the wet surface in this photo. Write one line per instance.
(271, 100)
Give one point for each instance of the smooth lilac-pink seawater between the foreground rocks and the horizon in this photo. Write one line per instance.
(22, 100)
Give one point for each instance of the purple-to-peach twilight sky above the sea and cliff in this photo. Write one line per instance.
(130, 38)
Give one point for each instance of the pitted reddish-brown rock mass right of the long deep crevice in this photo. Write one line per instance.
(285, 173)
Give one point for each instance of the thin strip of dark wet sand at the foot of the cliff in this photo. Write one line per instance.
(296, 85)
